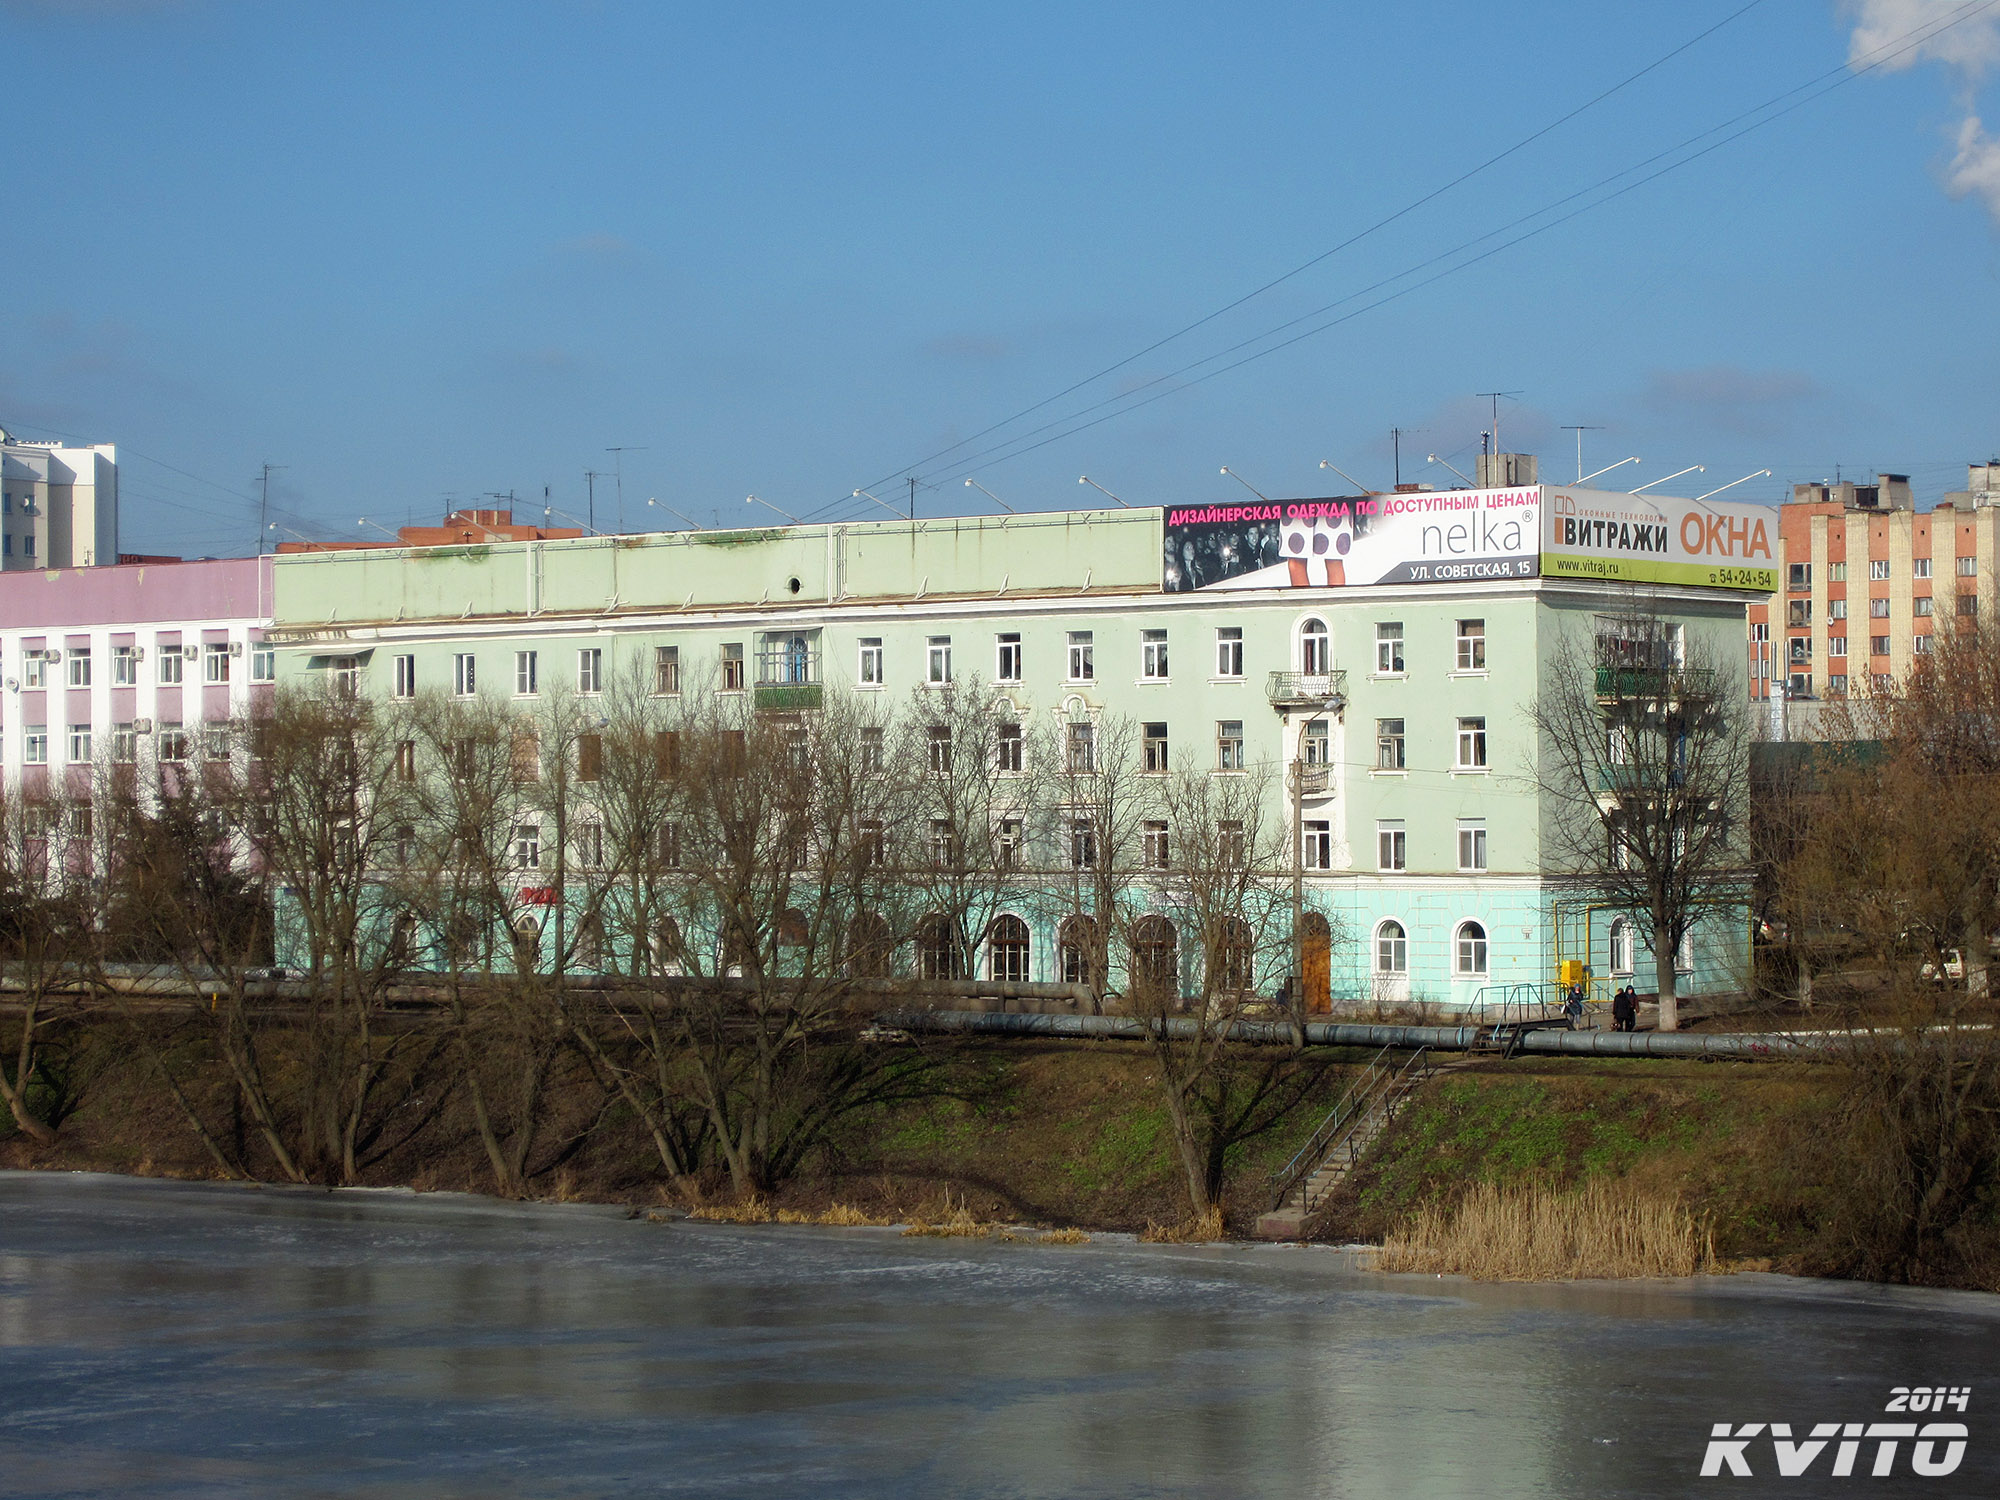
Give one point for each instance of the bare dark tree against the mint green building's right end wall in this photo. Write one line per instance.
(1643, 777)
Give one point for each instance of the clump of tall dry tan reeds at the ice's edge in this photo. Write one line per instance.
(1537, 1235)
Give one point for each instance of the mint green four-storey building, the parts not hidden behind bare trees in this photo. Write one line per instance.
(1405, 701)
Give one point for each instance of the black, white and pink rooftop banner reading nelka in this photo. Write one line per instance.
(1437, 537)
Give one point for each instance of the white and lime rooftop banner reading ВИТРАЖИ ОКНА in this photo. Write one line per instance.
(1659, 541)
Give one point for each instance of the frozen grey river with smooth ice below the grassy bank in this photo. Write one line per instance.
(165, 1339)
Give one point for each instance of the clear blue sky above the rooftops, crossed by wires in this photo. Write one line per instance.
(419, 253)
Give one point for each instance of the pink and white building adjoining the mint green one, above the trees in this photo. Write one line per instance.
(137, 663)
